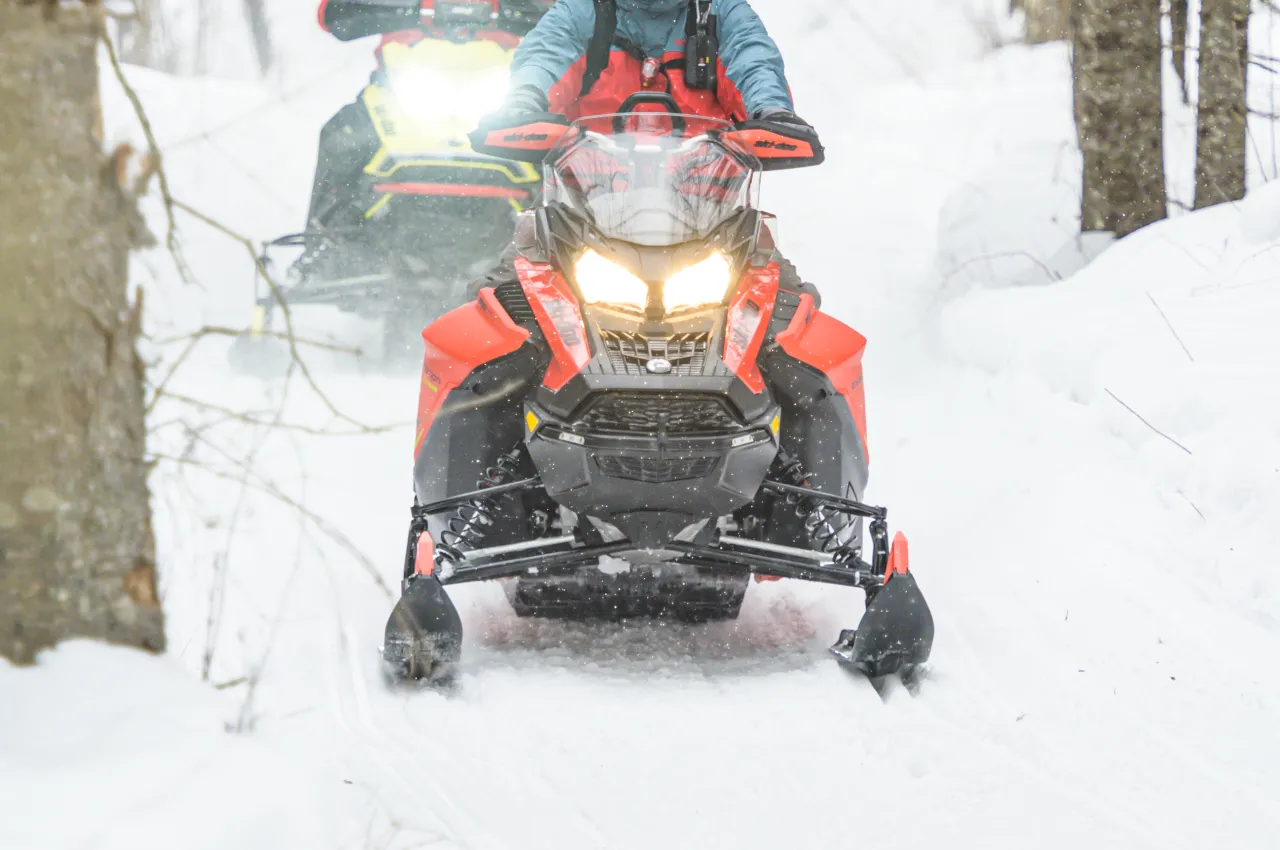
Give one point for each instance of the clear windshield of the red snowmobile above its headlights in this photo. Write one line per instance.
(653, 179)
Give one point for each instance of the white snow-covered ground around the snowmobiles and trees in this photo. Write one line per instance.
(1089, 469)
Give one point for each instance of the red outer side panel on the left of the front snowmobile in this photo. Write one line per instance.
(456, 345)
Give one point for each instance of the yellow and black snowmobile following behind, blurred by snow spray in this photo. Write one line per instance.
(400, 243)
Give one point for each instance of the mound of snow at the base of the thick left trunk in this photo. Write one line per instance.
(115, 750)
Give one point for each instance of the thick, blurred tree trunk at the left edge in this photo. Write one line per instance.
(76, 543)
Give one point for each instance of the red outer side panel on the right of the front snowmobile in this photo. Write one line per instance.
(834, 349)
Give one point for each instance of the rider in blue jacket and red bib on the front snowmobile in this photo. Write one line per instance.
(587, 57)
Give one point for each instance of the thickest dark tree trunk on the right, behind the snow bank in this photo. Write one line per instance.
(1117, 60)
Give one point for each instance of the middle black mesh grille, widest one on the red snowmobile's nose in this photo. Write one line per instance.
(660, 414)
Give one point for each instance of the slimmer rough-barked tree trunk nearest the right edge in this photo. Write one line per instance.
(1222, 120)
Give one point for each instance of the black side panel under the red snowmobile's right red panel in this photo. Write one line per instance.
(819, 429)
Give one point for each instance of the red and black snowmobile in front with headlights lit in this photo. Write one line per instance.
(647, 419)
